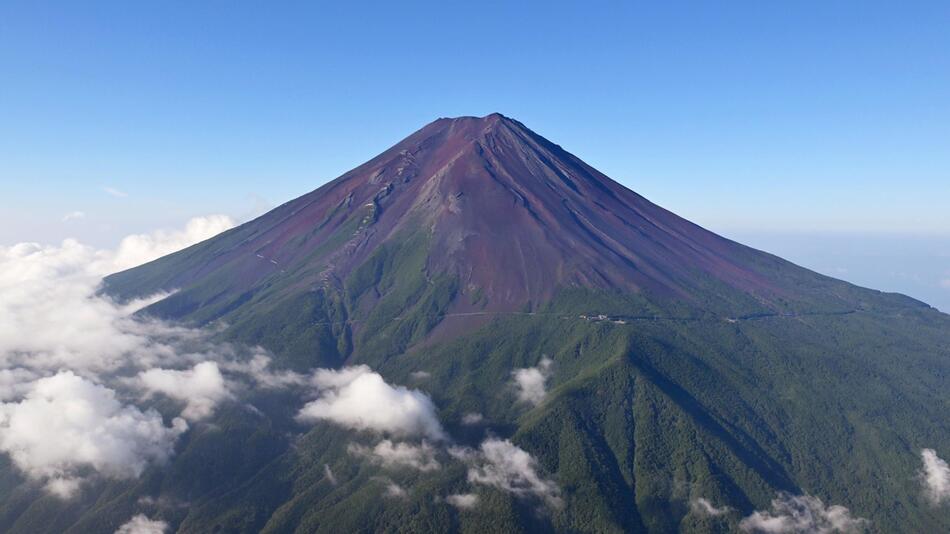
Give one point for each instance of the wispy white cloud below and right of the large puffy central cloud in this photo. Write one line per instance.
(504, 465)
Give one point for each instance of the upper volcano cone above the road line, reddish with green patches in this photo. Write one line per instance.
(466, 216)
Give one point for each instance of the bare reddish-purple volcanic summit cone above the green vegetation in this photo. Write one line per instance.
(511, 213)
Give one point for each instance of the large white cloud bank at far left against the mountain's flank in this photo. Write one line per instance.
(62, 417)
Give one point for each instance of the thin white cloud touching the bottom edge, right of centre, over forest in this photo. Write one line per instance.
(802, 514)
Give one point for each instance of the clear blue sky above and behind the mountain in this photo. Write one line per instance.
(817, 118)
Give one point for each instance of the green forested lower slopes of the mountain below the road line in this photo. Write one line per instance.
(641, 418)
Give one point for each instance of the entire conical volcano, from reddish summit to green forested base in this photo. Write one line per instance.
(679, 365)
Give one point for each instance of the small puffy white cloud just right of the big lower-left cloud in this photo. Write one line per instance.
(201, 388)
